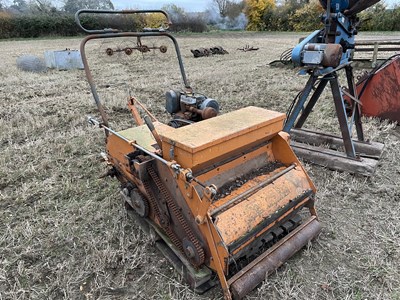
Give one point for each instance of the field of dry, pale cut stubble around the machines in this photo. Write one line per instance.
(65, 233)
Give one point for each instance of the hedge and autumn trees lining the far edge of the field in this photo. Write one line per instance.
(34, 18)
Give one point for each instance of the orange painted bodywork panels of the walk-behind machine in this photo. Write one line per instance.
(217, 150)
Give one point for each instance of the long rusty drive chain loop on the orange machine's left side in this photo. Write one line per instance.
(197, 257)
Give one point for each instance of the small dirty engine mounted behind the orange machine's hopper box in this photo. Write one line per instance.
(189, 108)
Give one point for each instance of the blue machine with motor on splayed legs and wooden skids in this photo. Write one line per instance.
(322, 55)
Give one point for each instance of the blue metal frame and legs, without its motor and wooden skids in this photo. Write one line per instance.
(340, 28)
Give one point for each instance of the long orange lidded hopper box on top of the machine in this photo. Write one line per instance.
(212, 138)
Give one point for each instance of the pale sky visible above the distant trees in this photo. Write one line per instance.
(187, 5)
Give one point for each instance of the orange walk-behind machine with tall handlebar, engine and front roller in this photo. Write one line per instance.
(222, 194)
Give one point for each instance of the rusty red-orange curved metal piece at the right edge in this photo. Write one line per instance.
(381, 95)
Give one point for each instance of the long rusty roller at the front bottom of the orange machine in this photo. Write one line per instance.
(254, 273)
